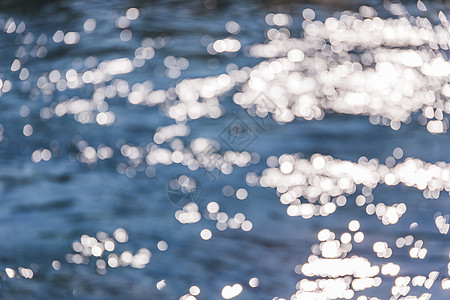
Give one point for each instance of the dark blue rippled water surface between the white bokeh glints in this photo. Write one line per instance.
(46, 206)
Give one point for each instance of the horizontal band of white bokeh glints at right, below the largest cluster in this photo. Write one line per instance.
(324, 182)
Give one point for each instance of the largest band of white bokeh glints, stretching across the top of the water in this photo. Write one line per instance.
(381, 81)
